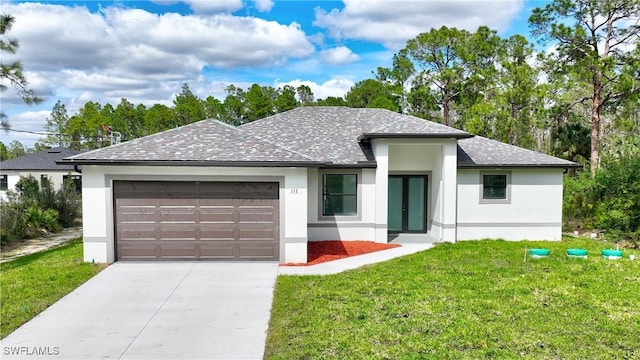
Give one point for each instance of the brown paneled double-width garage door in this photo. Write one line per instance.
(196, 220)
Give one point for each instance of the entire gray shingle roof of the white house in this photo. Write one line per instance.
(307, 136)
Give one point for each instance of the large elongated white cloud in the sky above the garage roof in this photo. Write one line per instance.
(220, 40)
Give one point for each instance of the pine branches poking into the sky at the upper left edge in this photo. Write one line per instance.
(12, 71)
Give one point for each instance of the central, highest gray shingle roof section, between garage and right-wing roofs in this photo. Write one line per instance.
(330, 133)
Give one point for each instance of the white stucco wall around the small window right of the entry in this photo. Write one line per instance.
(534, 211)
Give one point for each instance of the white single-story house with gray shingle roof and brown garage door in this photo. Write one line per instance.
(262, 190)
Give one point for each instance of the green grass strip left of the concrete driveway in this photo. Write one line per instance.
(32, 283)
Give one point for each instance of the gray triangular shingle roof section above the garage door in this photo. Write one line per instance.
(207, 141)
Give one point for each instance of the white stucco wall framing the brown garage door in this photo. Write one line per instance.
(97, 200)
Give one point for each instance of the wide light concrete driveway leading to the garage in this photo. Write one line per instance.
(184, 310)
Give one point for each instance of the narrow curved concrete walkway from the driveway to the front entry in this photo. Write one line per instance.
(338, 266)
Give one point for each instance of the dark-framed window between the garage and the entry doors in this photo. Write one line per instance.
(339, 194)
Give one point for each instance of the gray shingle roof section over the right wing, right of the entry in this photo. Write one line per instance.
(482, 152)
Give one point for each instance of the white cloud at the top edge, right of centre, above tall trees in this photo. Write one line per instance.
(392, 23)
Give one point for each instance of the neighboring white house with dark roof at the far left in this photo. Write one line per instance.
(39, 165)
